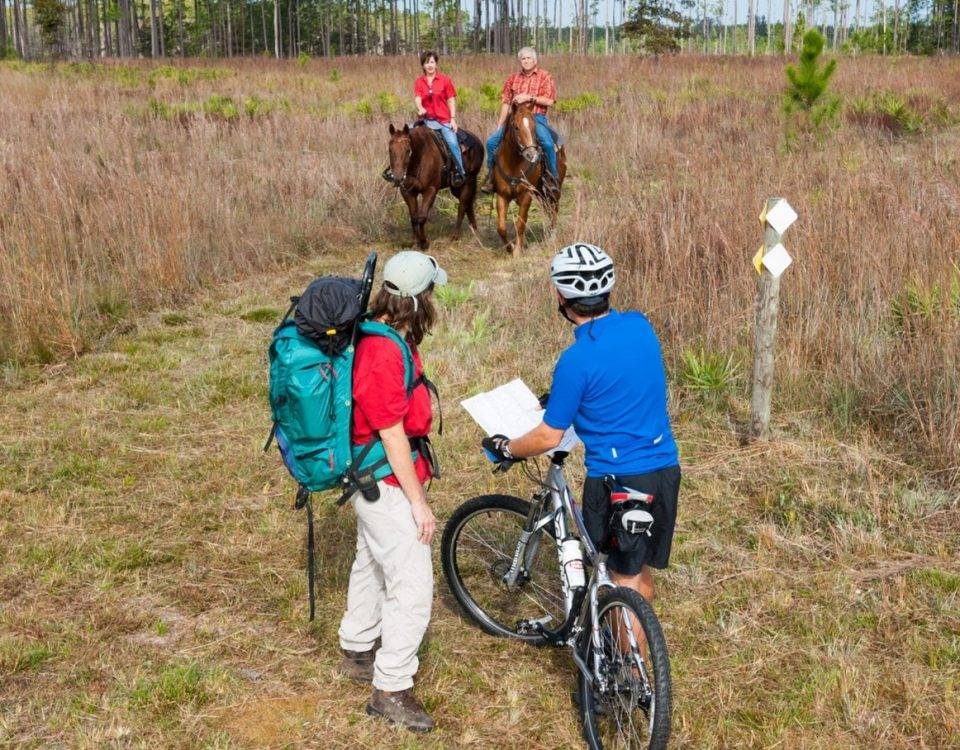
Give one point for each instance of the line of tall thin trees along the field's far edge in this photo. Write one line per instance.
(87, 29)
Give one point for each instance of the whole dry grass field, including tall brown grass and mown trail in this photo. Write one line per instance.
(155, 219)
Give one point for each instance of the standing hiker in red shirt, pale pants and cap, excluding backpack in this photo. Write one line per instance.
(391, 582)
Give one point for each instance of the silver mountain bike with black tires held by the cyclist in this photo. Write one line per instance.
(497, 559)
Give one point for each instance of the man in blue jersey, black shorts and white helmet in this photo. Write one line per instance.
(611, 386)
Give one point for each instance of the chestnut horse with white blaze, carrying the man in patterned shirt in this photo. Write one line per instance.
(519, 174)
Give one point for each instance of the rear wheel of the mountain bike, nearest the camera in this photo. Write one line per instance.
(629, 707)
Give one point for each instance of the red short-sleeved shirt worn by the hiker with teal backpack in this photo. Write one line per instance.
(380, 397)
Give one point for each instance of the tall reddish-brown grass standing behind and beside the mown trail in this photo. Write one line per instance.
(129, 187)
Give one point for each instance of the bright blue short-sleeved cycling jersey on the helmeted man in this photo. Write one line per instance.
(611, 386)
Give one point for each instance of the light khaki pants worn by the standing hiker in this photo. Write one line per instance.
(391, 588)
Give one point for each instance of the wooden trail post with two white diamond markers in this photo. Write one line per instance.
(770, 261)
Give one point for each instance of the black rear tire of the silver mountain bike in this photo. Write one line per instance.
(659, 728)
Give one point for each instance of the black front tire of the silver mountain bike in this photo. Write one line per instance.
(449, 560)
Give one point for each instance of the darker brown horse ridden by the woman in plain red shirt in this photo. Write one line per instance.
(417, 167)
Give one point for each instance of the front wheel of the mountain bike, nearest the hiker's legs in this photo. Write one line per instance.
(478, 546)
